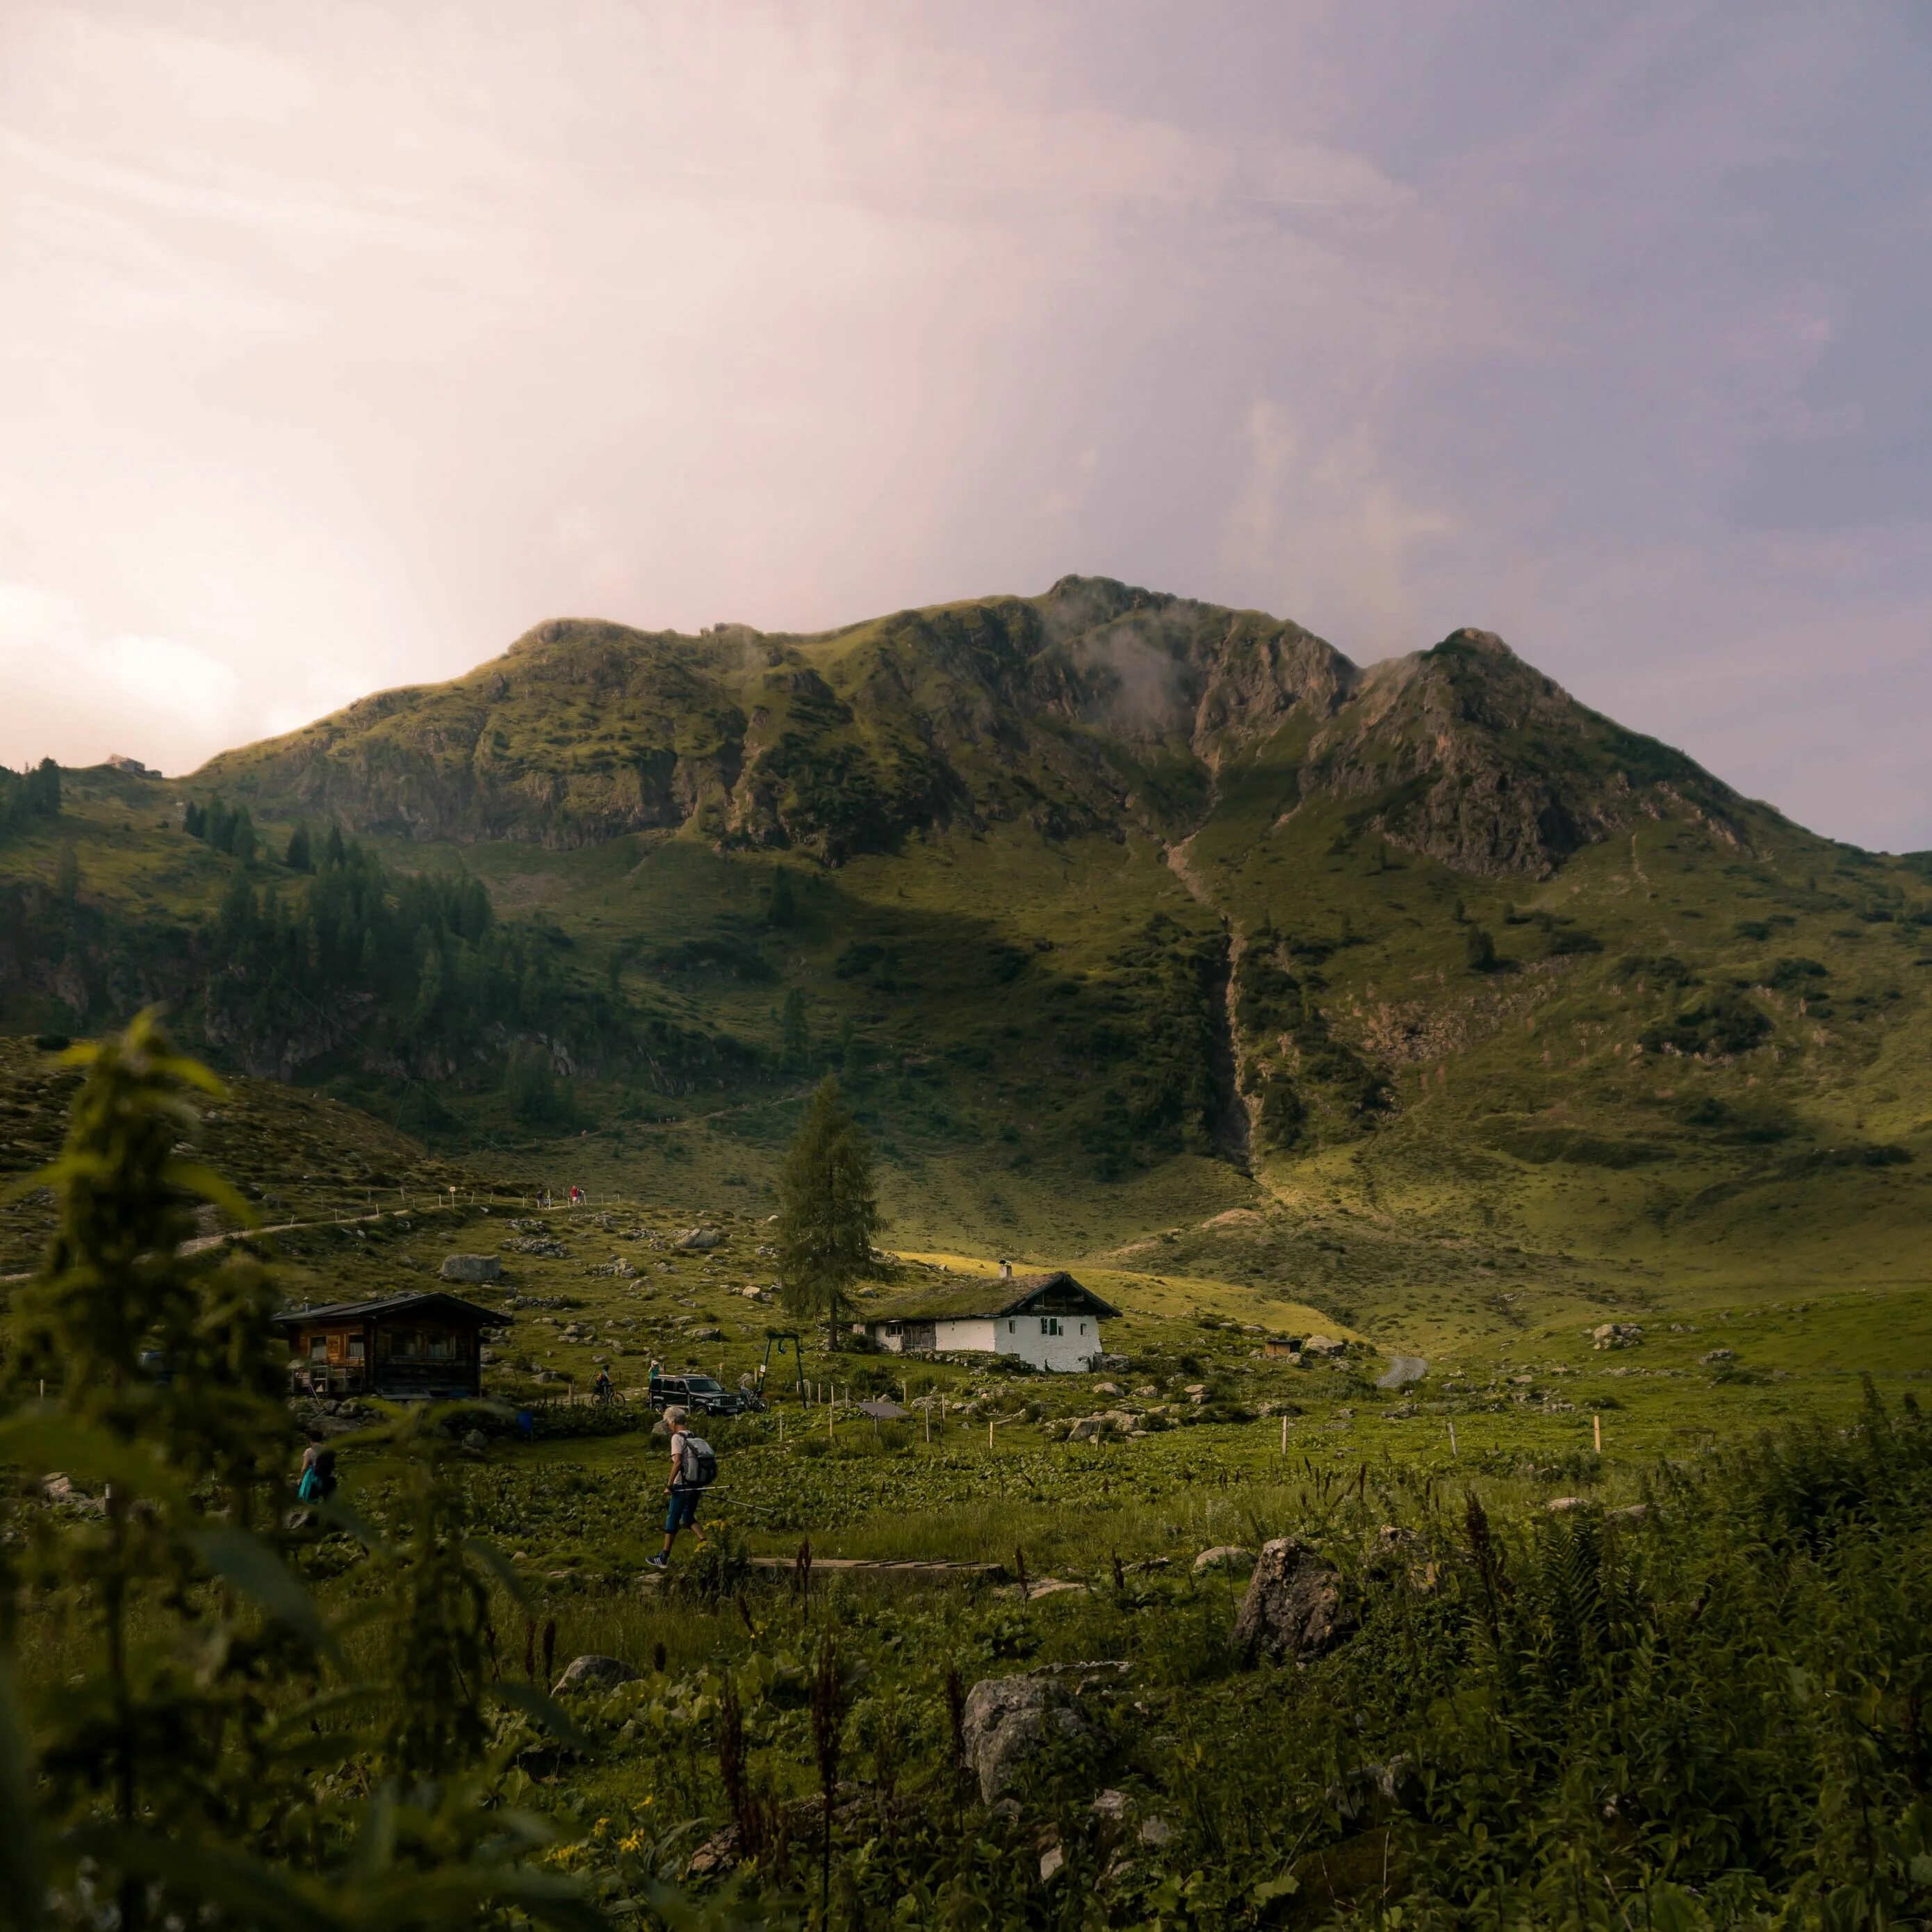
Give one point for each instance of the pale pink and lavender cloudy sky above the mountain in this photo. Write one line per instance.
(343, 345)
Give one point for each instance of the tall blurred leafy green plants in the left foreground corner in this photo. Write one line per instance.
(186, 1738)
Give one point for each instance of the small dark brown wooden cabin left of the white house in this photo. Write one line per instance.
(405, 1348)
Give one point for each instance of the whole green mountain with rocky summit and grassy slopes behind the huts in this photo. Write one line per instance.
(1141, 928)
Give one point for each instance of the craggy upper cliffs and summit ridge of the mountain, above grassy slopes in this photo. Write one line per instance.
(1091, 708)
